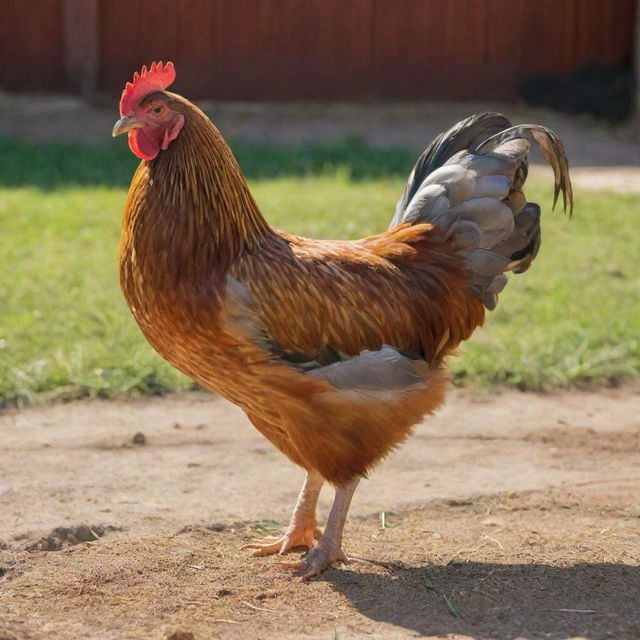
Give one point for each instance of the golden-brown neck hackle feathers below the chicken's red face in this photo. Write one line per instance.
(190, 213)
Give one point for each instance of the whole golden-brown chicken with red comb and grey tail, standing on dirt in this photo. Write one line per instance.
(334, 349)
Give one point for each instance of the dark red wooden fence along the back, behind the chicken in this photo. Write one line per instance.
(310, 49)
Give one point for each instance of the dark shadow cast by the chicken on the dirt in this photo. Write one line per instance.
(500, 601)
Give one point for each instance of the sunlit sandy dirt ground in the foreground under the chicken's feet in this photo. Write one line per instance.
(509, 515)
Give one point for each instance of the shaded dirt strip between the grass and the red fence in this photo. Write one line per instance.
(601, 157)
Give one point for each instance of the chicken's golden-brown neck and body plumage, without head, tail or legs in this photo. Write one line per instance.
(255, 314)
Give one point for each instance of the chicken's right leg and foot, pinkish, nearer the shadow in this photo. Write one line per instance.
(329, 548)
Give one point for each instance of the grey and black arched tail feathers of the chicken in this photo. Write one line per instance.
(469, 184)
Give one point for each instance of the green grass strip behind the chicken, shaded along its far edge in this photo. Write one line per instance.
(65, 330)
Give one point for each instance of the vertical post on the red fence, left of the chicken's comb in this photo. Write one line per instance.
(81, 52)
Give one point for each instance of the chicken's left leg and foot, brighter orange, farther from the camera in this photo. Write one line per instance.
(303, 528)
